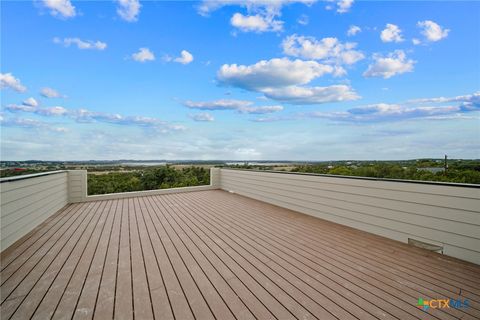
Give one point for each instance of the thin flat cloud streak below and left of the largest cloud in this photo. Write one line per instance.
(241, 106)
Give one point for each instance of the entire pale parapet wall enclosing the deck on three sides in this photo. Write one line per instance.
(445, 215)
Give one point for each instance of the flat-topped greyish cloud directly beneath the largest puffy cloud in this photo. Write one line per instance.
(311, 95)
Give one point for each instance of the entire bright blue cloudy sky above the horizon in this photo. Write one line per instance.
(241, 80)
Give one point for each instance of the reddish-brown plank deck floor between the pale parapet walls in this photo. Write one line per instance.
(215, 255)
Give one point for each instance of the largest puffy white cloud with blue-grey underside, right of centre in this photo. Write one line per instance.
(271, 73)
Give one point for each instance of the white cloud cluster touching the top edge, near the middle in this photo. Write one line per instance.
(262, 16)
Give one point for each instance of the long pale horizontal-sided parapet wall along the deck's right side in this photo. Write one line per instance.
(445, 215)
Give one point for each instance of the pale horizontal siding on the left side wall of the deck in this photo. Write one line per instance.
(28, 202)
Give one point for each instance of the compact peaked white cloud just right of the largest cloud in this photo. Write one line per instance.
(395, 63)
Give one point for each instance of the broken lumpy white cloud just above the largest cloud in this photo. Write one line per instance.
(328, 49)
